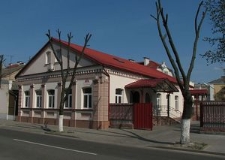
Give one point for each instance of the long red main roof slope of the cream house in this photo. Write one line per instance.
(119, 63)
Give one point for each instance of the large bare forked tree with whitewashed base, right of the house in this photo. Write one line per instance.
(173, 55)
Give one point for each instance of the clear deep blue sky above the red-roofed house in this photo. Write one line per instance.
(123, 28)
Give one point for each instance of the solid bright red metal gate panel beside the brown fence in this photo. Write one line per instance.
(142, 117)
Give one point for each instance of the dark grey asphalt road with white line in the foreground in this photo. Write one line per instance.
(16, 145)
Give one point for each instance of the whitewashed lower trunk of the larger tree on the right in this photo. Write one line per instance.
(185, 131)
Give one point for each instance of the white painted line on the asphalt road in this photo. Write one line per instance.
(45, 145)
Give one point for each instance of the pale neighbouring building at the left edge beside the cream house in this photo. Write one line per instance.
(9, 91)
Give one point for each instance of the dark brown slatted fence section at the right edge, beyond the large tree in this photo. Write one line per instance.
(212, 114)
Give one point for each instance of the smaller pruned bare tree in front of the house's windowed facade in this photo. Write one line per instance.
(68, 73)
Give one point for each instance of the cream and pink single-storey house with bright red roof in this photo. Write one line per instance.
(101, 79)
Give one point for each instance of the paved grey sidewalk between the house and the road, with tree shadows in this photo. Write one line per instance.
(161, 136)
